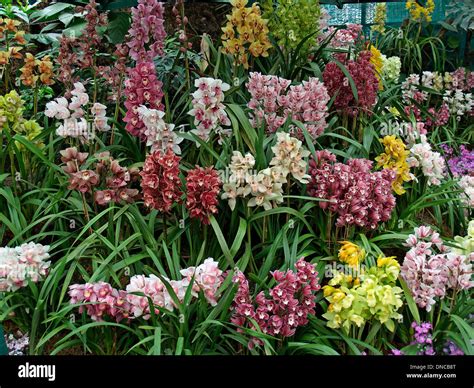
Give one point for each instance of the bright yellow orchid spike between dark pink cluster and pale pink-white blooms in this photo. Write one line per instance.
(395, 158)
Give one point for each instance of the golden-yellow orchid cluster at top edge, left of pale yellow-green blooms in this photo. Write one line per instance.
(246, 32)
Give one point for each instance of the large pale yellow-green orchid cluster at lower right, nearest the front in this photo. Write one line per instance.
(371, 296)
